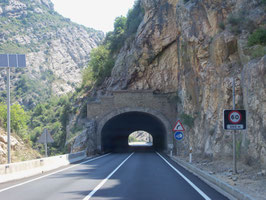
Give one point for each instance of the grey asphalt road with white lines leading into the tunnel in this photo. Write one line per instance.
(134, 176)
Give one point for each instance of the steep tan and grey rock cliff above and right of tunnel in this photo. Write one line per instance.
(194, 49)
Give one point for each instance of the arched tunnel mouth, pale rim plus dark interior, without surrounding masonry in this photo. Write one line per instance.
(157, 125)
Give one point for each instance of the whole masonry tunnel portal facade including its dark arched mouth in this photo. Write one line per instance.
(124, 112)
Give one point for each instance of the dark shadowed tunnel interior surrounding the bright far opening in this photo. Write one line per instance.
(116, 131)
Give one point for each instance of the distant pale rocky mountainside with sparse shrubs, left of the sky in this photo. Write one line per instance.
(56, 49)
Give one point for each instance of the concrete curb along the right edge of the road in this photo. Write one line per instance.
(221, 186)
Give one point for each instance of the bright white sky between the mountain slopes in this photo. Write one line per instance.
(97, 14)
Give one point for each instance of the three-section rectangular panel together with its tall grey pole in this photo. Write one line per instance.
(7, 61)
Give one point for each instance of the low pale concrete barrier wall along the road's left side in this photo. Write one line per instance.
(25, 169)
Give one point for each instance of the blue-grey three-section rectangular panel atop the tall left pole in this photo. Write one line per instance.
(12, 60)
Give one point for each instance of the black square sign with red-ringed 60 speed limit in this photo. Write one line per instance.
(234, 119)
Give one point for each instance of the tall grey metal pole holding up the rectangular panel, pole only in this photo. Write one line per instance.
(8, 115)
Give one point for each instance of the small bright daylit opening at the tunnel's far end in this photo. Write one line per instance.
(140, 139)
